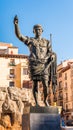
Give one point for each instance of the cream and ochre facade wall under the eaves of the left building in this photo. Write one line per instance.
(18, 68)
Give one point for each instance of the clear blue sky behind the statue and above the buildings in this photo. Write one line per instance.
(55, 16)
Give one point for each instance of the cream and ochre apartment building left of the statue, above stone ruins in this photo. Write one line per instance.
(13, 67)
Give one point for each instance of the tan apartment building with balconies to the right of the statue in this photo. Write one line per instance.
(64, 93)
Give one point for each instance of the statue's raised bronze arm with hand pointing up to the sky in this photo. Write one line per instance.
(17, 31)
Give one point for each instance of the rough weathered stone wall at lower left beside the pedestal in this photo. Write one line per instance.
(13, 102)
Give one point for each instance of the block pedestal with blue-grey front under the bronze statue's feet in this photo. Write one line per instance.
(41, 118)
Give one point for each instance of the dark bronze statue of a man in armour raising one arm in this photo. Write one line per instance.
(42, 60)
